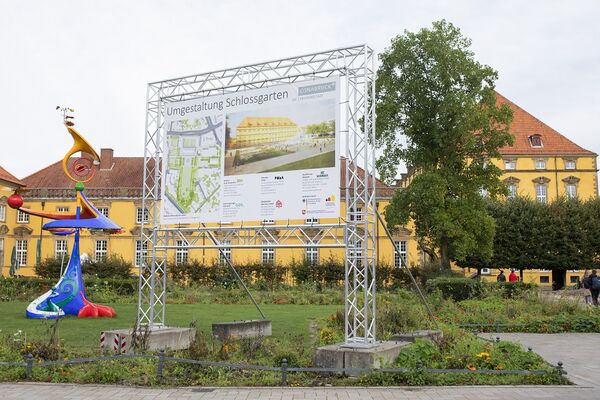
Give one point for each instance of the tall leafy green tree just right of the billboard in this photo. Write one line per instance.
(437, 112)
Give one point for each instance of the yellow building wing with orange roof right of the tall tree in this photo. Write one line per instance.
(544, 165)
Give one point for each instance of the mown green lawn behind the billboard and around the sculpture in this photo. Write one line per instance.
(85, 332)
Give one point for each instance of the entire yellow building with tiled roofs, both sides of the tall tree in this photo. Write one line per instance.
(541, 164)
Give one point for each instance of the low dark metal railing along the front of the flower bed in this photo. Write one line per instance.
(284, 369)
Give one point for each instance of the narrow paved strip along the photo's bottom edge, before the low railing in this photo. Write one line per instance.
(34, 391)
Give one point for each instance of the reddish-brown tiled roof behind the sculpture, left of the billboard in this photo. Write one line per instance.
(124, 179)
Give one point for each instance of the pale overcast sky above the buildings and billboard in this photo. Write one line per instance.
(98, 56)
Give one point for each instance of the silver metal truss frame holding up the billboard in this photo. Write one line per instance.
(355, 67)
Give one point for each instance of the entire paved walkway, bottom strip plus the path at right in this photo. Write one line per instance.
(580, 353)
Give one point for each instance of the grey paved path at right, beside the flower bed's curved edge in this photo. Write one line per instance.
(579, 352)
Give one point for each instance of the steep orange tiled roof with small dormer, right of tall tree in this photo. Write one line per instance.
(525, 125)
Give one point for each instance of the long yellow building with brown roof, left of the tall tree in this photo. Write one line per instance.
(116, 192)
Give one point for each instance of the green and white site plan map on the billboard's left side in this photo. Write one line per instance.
(193, 173)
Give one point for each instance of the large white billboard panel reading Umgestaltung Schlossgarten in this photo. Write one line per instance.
(270, 153)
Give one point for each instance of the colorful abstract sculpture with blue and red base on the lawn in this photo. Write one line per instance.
(68, 297)
